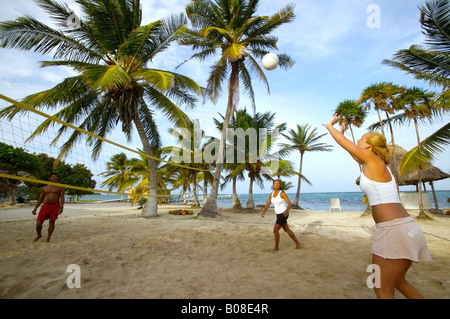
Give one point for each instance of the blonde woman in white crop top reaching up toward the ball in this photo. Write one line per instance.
(398, 239)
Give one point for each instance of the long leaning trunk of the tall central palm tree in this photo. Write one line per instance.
(210, 208)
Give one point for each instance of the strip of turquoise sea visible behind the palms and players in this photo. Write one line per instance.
(312, 201)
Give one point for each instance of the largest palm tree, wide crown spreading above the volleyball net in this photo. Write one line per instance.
(110, 51)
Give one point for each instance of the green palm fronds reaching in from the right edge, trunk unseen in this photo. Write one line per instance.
(431, 64)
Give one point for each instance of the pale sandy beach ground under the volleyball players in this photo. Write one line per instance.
(122, 255)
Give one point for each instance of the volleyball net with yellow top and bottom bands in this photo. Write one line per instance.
(16, 132)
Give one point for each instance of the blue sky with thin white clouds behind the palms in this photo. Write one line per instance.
(337, 55)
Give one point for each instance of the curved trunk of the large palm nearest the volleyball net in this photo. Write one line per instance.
(151, 206)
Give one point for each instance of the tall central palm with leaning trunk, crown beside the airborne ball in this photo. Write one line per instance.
(231, 28)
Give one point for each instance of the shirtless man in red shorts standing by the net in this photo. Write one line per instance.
(53, 199)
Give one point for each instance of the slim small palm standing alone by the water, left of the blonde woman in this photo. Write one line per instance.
(303, 140)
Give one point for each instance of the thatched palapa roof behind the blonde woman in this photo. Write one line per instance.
(428, 173)
